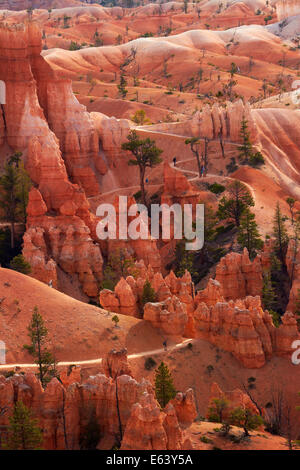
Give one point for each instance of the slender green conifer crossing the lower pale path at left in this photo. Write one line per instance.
(38, 334)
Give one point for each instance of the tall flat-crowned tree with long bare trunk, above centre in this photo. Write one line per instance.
(146, 155)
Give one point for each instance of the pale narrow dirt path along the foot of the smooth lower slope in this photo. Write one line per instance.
(153, 352)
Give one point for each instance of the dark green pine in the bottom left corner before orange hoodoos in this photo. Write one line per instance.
(23, 430)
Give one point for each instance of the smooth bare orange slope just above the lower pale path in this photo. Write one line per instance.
(78, 331)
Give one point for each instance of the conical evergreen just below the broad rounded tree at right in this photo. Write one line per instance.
(249, 236)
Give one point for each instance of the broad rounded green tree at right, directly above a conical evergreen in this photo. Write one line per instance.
(234, 205)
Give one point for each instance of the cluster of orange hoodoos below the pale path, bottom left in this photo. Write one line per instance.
(125, 409)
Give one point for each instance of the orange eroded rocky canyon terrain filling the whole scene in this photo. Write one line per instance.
(74, 78)
